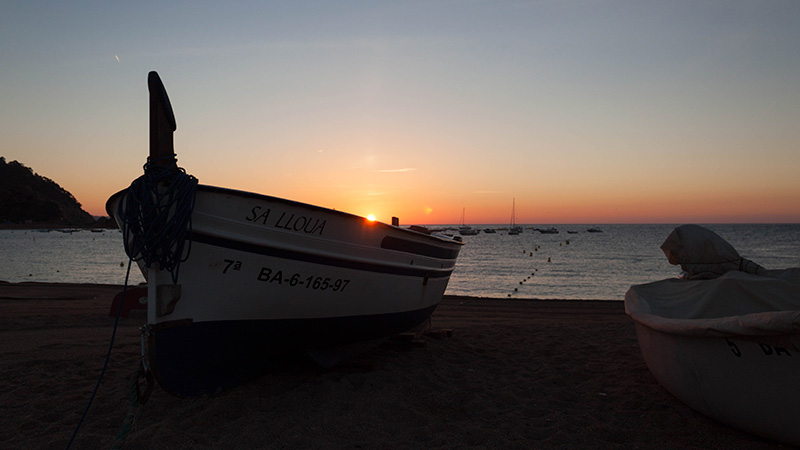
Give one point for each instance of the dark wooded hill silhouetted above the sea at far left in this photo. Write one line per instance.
(29, 198)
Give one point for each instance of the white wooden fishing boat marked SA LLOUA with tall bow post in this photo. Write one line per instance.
(262, 276)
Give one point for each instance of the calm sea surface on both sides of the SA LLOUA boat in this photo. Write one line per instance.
(531, 265)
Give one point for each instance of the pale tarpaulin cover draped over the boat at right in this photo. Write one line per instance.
(734, 303)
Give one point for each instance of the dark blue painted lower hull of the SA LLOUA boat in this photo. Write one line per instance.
(204, 358)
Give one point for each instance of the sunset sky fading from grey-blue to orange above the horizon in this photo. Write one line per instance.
(584, 111)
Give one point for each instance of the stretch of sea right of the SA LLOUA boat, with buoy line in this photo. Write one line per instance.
(583, 265)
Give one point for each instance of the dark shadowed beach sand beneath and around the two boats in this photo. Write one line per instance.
(513, 374)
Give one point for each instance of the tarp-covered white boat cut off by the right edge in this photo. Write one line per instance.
(724, 339)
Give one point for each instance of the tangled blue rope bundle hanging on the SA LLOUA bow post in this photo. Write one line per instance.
(156, 216)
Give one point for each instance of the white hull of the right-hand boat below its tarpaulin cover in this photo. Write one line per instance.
(745, 382)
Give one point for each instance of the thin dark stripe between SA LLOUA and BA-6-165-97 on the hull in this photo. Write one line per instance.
(216, 241)
